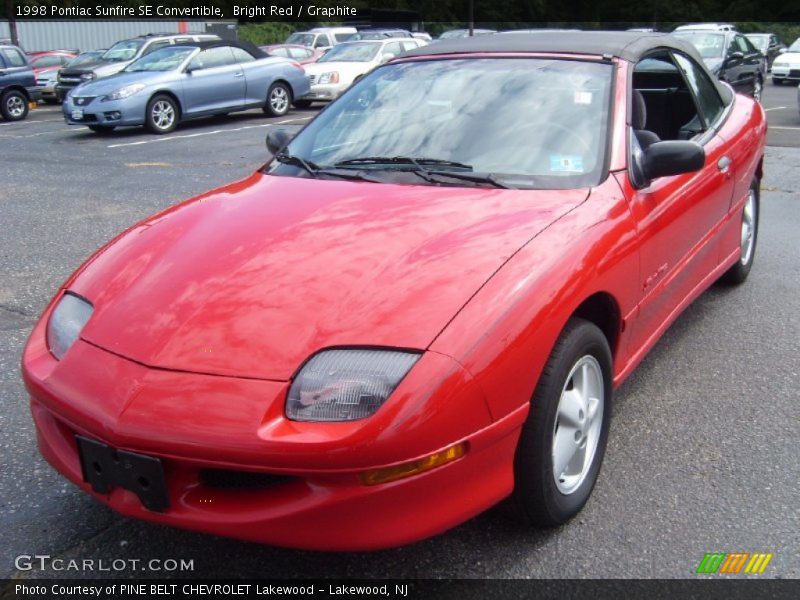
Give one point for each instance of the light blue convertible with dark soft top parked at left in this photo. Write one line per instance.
(186, 81)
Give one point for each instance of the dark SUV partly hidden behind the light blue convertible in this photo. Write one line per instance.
(120, 55)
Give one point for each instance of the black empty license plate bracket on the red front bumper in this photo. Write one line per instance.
(105, 467)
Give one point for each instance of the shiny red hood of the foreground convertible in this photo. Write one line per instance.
(251, 279)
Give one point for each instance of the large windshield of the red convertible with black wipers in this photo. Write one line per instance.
(512, 122)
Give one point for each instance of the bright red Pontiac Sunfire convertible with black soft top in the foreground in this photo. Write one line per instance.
(420, 307)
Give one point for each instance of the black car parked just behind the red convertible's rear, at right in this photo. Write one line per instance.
(731, 57)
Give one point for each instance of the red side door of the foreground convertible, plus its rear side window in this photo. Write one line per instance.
(678, 216)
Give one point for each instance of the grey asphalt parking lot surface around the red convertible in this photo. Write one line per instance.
(702, 454)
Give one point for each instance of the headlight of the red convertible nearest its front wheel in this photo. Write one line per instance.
(346, 385)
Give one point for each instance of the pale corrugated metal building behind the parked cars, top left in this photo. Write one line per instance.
(91, 34)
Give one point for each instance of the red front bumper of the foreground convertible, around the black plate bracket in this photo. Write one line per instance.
(312, 497)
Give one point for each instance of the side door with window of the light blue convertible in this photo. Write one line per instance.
(213, 82)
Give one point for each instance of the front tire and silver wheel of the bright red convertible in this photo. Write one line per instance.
(561, 416)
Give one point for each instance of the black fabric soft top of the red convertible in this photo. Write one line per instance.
(627, 45)
